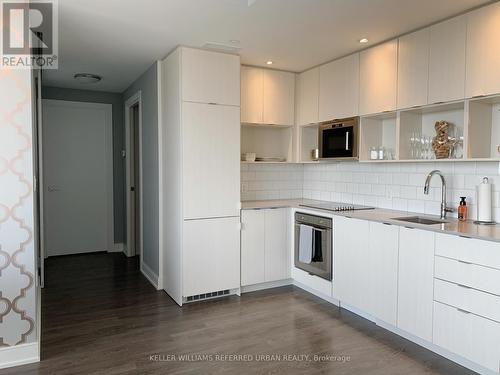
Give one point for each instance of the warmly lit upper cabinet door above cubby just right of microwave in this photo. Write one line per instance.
(378, 67)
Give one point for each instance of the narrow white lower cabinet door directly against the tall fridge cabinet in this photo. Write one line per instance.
(252, 247)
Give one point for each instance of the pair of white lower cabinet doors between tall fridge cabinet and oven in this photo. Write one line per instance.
(264, 246)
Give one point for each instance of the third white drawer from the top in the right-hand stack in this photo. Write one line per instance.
(467, 299)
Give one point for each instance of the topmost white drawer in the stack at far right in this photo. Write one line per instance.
(484, 253)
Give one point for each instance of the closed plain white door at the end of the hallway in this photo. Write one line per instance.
(78, 177)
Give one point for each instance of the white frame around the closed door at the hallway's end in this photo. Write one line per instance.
(109, 165)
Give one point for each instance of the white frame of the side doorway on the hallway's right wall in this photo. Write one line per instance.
(130, 102)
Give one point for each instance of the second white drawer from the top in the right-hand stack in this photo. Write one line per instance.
(468, 274)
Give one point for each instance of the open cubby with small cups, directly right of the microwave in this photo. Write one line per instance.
(378, 137)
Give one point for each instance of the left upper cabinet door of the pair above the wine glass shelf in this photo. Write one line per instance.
(413, 69)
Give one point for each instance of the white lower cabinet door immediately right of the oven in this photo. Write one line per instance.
(351, 268)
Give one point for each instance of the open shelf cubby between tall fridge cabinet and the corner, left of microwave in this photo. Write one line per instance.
(268, 143)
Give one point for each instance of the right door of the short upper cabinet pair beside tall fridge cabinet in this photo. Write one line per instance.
(279, 97)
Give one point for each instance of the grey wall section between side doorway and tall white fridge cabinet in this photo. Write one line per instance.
(148, 85)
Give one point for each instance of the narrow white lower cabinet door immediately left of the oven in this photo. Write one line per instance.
(277, 266)
